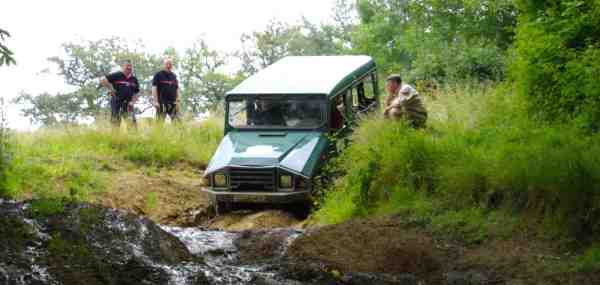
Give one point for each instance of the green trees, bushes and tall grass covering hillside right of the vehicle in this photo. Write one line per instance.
(499, 157)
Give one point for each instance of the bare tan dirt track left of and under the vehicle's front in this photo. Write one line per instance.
(171, 196)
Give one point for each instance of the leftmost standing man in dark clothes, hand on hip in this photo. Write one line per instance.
(123, 88)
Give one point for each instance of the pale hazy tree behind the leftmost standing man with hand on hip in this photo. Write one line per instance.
(81, 67)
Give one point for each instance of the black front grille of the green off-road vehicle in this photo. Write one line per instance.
(252, 179)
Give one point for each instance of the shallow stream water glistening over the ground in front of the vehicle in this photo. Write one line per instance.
(223, 264)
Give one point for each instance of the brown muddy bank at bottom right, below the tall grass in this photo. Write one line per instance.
(393, 246)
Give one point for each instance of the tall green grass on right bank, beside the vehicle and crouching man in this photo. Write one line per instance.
(481, 156)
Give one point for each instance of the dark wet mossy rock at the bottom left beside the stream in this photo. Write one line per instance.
(84, 244)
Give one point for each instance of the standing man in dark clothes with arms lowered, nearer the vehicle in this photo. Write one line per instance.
(165, 91)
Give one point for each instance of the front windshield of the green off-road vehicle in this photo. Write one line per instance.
(269, 112)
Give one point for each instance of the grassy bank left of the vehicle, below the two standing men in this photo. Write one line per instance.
(75, 162)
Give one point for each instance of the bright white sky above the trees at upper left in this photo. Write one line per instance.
(38, 28)
